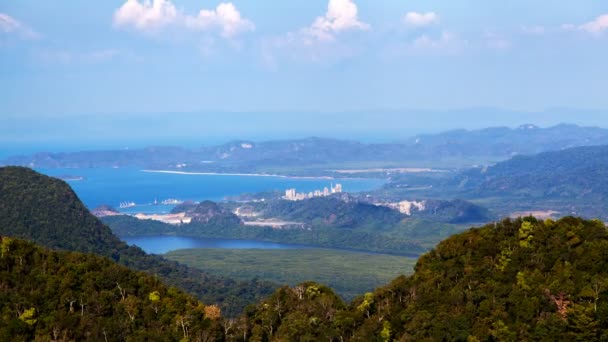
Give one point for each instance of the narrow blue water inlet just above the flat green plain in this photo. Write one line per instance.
(164, 244)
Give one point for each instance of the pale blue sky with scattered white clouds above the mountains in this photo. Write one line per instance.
(204, 70)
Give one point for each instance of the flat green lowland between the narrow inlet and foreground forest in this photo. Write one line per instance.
(348, 273)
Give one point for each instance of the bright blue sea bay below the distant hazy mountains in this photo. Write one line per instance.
(113, 186)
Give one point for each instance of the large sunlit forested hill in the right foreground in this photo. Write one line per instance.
(520, 280)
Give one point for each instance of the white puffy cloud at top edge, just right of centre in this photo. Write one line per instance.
(341, 16)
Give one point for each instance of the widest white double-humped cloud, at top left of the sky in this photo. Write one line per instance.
(155, 15)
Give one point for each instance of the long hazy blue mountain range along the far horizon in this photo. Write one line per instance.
(453, 147)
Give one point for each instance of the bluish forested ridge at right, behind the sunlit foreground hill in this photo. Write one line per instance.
(571, 181)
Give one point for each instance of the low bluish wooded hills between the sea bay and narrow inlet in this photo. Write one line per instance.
(331, 222)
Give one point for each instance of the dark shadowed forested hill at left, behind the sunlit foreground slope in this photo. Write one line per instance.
(46, 210)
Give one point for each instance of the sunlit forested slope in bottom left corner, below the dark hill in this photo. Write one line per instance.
(67, 296)
